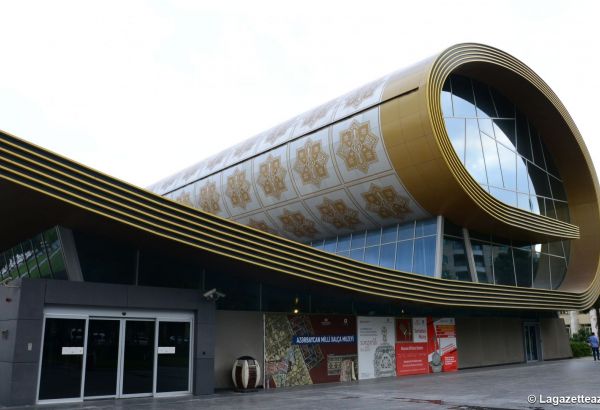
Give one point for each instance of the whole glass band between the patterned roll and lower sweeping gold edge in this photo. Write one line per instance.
(465, 255)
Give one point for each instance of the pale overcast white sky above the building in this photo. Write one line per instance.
(142, 89)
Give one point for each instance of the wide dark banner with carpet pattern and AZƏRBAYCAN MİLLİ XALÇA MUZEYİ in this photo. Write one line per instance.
(309, 349)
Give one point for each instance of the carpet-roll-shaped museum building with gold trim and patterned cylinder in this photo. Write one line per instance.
(433, 220)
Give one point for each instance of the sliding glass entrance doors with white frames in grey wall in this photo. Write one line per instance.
(103, 355)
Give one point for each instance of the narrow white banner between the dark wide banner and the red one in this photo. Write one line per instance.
(376, 355)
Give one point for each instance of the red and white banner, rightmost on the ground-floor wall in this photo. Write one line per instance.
(425, 345)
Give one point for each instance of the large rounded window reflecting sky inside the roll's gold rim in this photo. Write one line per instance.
(501, 148)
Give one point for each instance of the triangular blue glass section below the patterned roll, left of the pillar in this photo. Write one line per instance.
(408, 247)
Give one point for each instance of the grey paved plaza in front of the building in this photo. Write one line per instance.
(505, 387)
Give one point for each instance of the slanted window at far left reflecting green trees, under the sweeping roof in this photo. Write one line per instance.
(38, 257)
